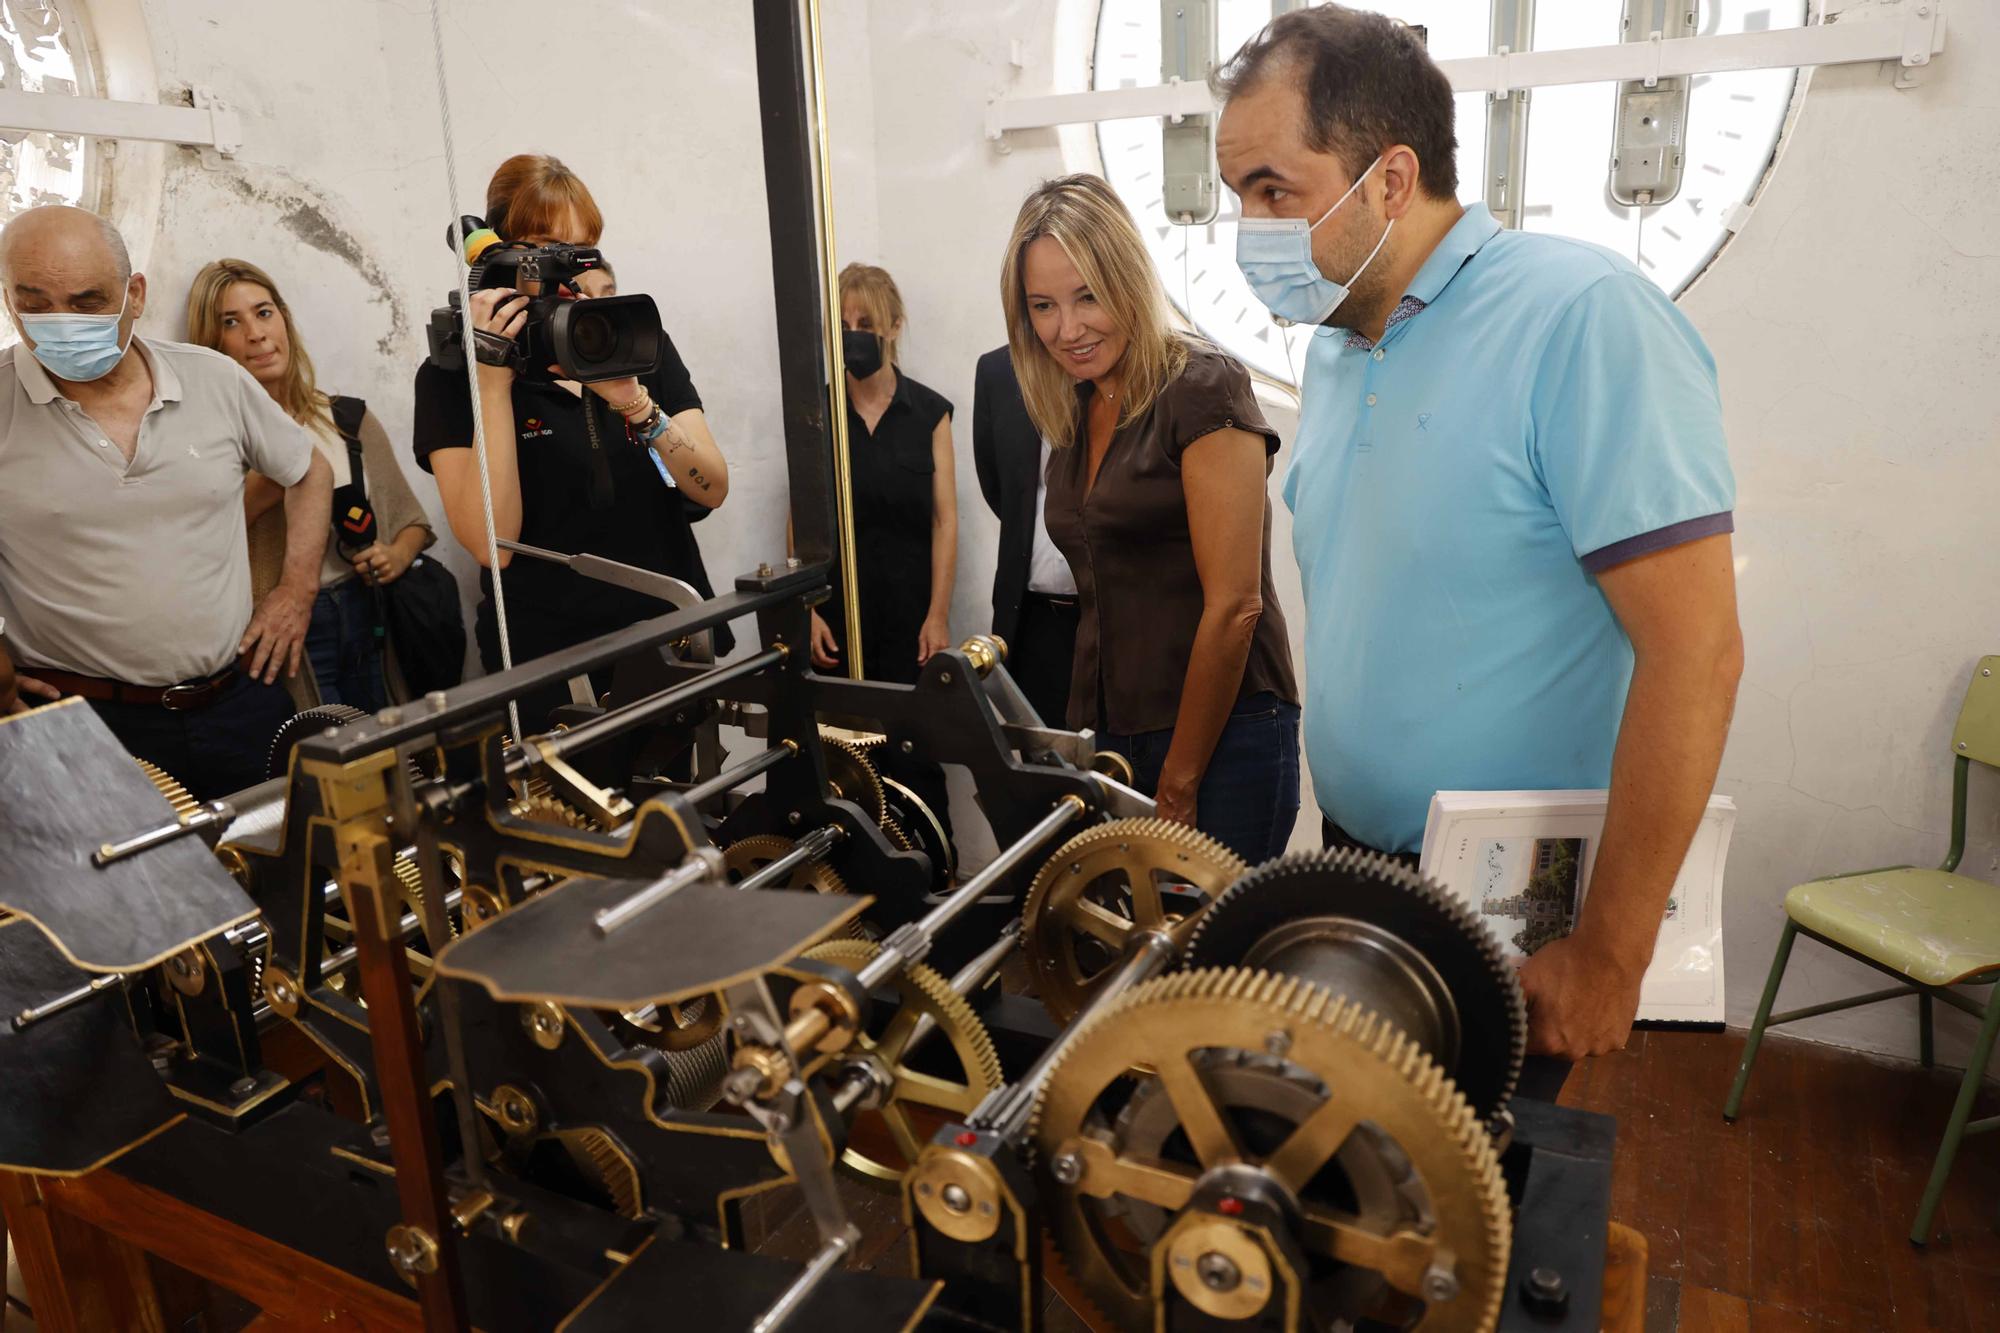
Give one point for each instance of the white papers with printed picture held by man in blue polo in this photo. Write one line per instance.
(1523, 862)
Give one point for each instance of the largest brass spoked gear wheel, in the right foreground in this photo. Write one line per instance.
(1371, 1080)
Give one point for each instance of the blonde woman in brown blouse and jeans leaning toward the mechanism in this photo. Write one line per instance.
(1157, 495)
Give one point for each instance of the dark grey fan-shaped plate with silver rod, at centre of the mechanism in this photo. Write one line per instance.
(697, 942)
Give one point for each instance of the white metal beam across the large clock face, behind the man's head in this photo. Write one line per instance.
(1909, 39)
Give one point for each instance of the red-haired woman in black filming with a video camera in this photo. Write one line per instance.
(615, 469)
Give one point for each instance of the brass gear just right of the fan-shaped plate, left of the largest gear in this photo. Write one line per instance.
(923, 994)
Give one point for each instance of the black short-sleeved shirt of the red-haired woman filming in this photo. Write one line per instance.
(609, 501)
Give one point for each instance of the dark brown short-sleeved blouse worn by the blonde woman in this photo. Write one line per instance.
(1129, 545)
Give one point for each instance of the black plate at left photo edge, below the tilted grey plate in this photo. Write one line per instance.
(75, 1090)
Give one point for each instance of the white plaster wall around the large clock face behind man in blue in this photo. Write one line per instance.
(1857, 325)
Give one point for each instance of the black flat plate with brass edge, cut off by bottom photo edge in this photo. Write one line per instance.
(689, 1286)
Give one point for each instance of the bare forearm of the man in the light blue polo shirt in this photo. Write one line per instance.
(1663, 774)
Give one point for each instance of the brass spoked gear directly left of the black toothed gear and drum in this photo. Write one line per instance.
(1101, 890)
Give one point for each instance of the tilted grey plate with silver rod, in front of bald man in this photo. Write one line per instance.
(69, 788)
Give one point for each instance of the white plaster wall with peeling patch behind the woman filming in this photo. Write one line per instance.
(341, 187)
